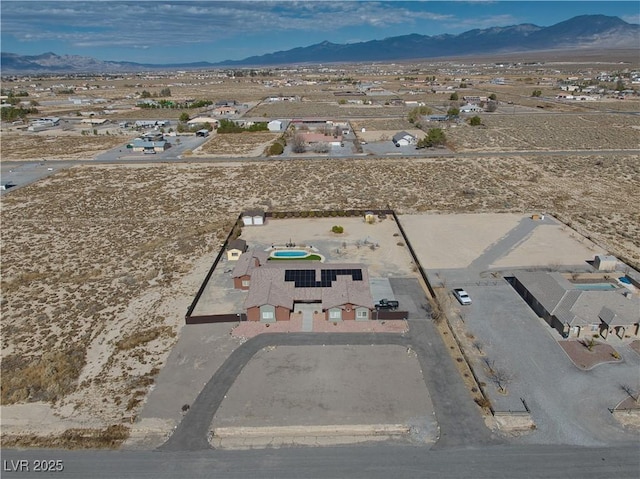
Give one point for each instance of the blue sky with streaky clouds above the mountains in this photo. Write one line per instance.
(187, 31)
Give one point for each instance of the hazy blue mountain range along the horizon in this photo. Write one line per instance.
(586, 31)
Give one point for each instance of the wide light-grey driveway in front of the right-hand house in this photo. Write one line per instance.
(568, 405)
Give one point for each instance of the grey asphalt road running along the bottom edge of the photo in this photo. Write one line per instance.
(369, 462)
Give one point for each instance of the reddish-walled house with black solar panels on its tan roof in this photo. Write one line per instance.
(279, 289)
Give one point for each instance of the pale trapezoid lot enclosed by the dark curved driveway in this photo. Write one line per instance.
(329, 386)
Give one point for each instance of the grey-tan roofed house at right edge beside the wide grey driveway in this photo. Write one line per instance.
(577, 312)
